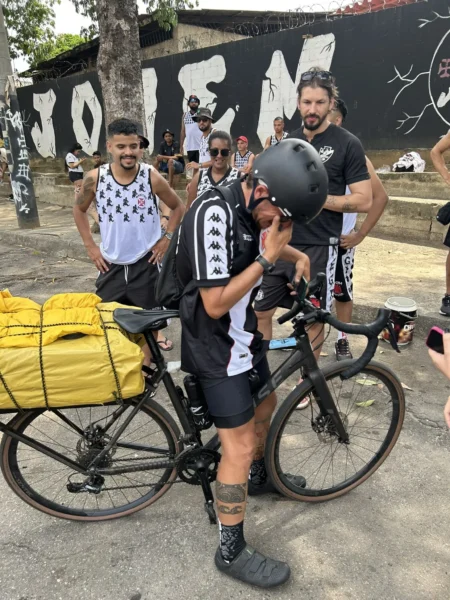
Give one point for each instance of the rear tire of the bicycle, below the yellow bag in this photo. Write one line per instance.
(16, 480)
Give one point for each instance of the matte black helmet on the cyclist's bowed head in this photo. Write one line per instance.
(296, 178)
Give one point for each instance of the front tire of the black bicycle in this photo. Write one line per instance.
(272, 455)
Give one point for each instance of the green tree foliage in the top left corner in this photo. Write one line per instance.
(28, 23)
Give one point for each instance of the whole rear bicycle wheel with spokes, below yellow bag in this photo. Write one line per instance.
(78, 433)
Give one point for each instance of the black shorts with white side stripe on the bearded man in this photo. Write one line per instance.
(274, 292)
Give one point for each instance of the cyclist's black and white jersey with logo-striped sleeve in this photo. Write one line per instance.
(218, 240)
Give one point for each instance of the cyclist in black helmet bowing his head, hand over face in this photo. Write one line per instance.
(221, 259)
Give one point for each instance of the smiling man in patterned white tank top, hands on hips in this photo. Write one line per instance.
(132, 244)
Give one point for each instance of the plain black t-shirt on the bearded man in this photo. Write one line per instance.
(344, 159)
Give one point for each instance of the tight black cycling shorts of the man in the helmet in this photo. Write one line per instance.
(230, 399)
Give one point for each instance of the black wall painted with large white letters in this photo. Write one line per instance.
(392, 69)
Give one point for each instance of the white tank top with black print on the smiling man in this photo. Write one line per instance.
(128, 216)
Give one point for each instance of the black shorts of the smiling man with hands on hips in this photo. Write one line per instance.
(133, 285)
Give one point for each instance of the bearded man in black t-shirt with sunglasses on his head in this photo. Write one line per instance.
(343, 157)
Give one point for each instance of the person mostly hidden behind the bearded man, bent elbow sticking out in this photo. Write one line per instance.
(343, 290)
